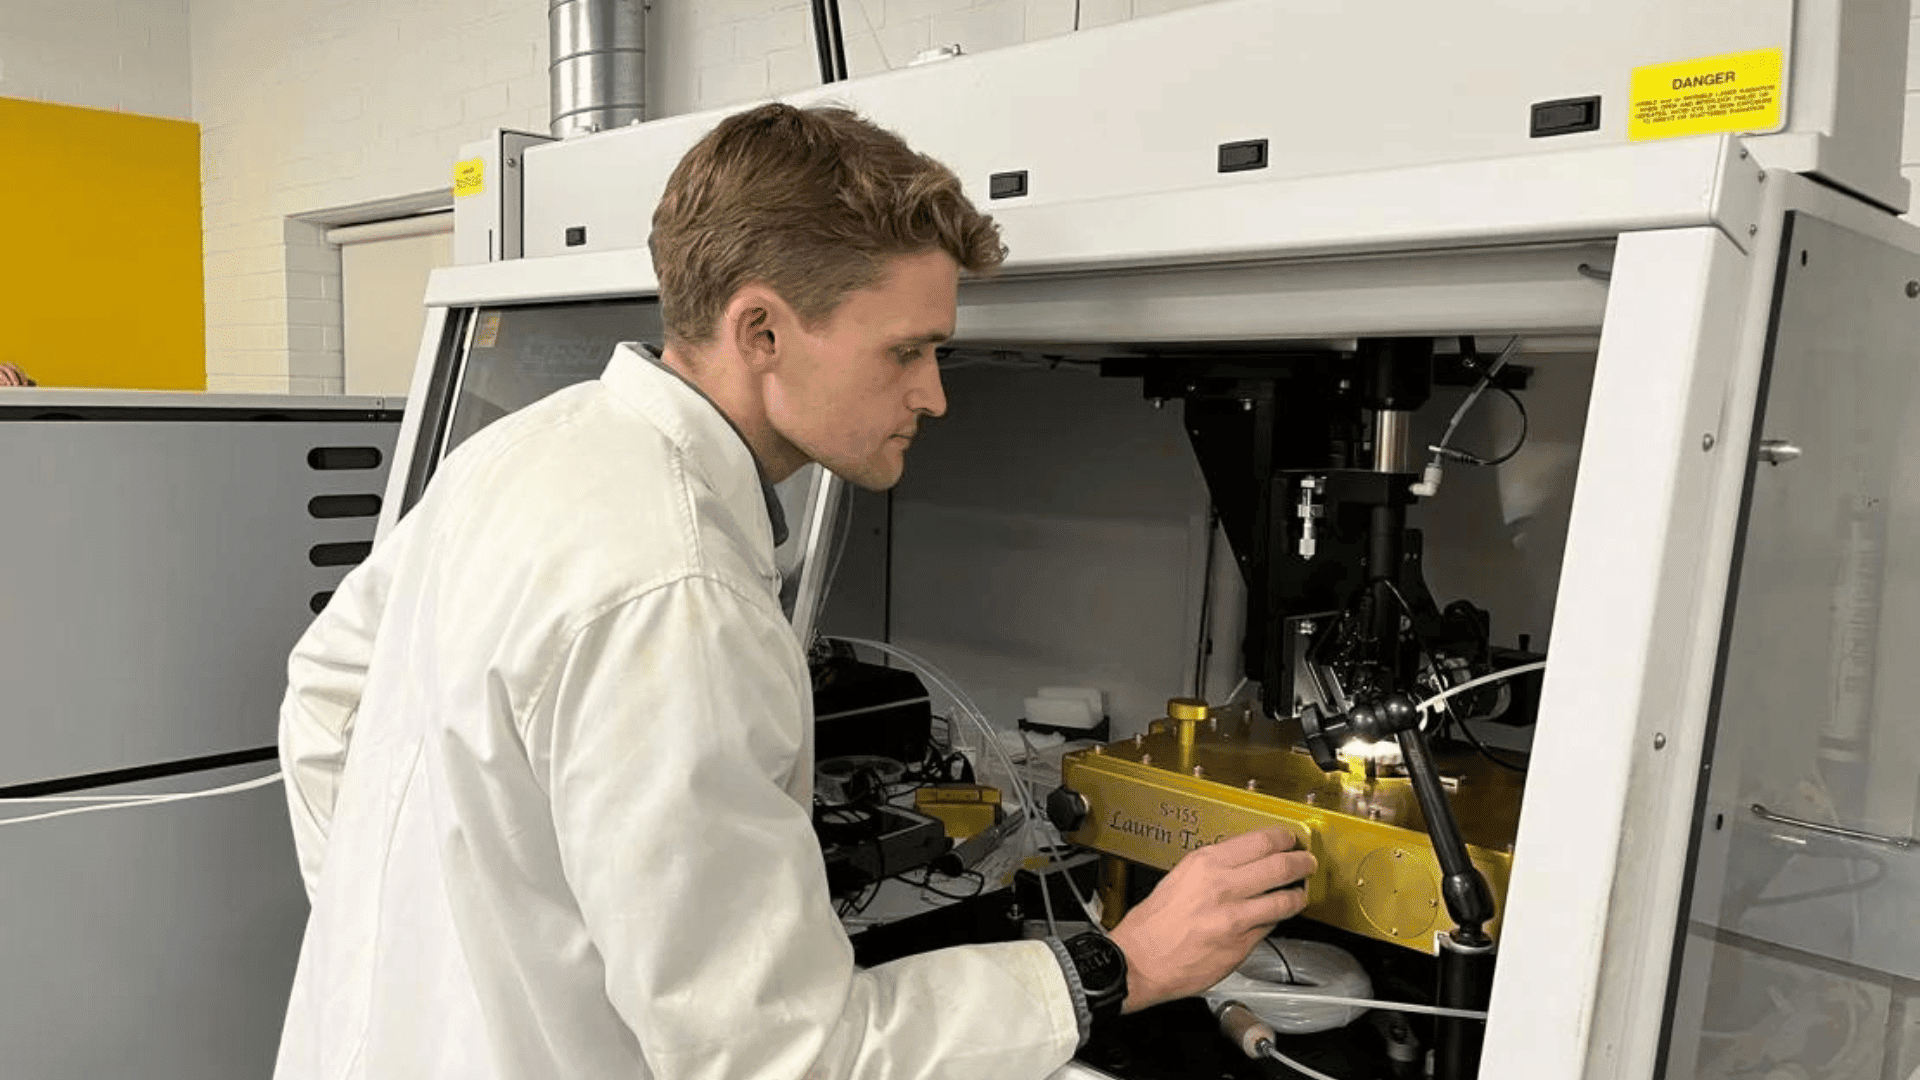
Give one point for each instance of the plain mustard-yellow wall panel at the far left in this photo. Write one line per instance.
(101, 274)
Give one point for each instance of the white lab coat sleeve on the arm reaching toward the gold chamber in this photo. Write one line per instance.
(667, 737)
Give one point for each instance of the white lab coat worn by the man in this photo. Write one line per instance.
(550, 764)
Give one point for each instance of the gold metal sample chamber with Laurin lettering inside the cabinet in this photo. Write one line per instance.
(1201, 779)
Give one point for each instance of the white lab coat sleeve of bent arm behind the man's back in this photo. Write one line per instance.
(324, 693)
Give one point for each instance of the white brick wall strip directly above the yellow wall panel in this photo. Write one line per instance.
(105, 55)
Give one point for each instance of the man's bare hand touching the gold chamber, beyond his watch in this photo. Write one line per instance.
(1209, 914)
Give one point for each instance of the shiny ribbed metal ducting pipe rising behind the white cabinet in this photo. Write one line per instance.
(600, 64)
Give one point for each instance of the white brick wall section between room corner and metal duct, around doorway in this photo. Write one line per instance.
(329, 105)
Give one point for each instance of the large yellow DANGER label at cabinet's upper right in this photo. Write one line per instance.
(1704, 97)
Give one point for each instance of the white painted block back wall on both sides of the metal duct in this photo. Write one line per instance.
(331, 105)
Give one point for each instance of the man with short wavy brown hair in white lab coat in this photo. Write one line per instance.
(550, 749)
